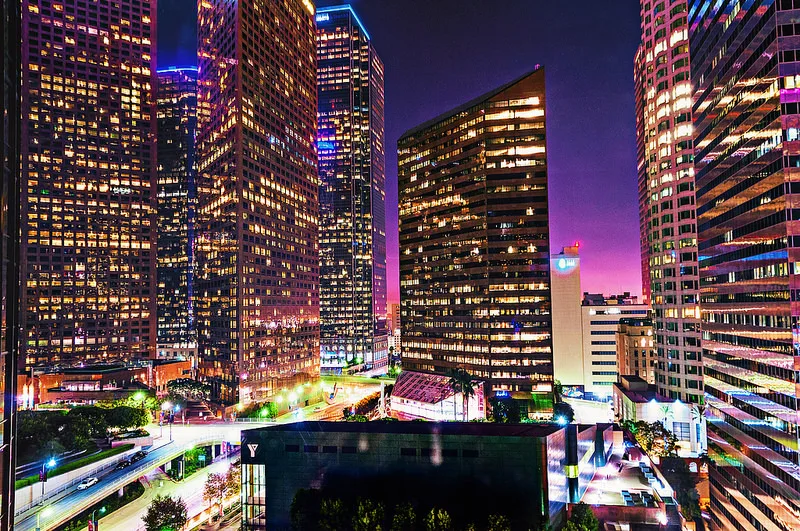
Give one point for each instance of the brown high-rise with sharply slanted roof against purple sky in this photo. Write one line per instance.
(474, 241)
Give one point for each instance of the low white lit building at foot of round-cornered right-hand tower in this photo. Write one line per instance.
(636, 400)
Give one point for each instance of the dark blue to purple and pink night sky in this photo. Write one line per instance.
(441, 53)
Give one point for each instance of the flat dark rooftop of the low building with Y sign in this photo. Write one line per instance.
(481, 429)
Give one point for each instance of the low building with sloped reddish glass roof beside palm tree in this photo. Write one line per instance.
(418, 395)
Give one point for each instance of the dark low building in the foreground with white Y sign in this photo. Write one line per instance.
(471, 470)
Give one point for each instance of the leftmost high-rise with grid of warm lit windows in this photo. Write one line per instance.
(88, 269)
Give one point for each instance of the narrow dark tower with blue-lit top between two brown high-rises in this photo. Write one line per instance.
(177, 120)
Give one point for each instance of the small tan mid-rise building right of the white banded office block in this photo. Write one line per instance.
(636, 354)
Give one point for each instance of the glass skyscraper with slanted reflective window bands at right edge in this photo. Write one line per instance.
(747, 164)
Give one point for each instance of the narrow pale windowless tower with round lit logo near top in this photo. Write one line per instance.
(565, 291)
